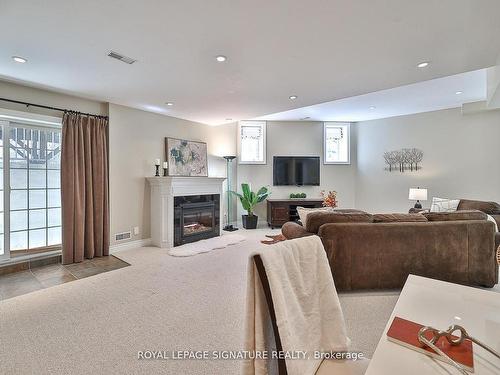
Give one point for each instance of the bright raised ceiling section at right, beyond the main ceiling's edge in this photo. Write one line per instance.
(433, 95)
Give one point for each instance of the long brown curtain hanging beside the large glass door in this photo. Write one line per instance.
(84, 187)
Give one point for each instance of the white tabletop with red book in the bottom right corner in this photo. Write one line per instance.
(440, 304)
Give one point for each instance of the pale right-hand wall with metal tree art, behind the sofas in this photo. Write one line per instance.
(461, 158)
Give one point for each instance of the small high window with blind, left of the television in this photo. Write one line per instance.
(252, 142)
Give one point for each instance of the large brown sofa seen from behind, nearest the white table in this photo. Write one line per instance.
(380, 251)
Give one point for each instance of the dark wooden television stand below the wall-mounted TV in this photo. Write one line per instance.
(279, 211)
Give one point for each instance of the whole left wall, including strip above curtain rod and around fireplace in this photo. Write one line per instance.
(136, 138)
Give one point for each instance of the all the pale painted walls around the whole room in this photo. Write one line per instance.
(462, 155)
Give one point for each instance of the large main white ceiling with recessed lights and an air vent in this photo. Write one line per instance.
(320, 50)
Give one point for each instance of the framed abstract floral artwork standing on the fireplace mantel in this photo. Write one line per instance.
(186, 158)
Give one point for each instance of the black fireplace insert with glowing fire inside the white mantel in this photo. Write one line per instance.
(196, 217)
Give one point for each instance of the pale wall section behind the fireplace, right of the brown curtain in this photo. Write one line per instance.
(136, 138)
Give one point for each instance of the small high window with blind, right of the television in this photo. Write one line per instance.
(336, 143)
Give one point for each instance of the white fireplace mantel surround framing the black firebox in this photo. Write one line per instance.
(163, 191)
